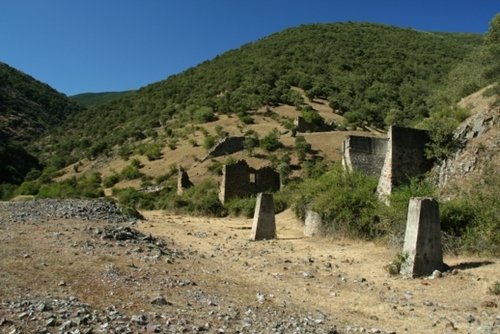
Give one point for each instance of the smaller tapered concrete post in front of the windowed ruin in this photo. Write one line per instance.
(264, 224)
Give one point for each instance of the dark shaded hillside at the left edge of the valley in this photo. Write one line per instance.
(28, 109)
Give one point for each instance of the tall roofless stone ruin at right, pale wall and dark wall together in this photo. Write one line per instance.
(393, 160)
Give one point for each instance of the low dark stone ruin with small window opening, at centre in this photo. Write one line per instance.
(241, 180)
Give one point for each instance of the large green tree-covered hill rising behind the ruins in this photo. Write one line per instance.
(363, 71)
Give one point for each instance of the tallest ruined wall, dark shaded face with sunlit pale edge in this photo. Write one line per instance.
(405, 158)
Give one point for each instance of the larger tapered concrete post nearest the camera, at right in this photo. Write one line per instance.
(423, 238)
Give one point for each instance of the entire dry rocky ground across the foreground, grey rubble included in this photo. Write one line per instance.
(82, 267)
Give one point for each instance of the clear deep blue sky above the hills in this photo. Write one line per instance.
(115, 45)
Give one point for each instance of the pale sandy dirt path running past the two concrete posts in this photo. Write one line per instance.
(345, 279)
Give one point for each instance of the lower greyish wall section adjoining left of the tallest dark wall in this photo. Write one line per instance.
(364, 154)
